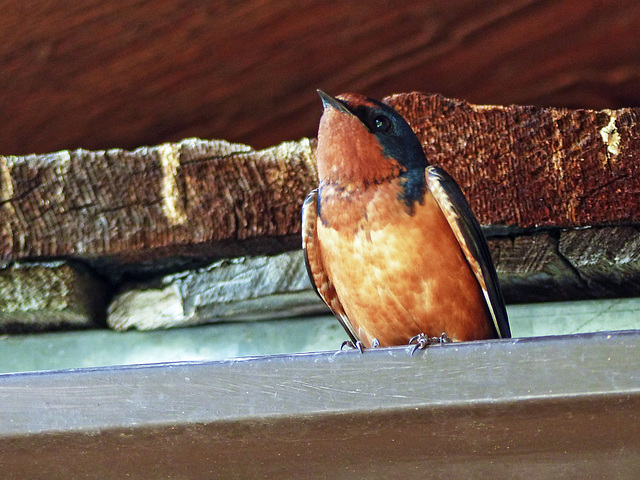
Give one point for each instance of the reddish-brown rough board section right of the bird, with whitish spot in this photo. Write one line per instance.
(530, 166)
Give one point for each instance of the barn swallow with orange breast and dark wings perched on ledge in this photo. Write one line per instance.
(390, 242)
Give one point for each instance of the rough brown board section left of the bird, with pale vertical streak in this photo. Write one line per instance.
(154, 202)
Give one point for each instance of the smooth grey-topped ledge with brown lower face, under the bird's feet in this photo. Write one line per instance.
(447, 411)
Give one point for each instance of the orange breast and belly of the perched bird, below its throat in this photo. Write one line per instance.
(398, 273)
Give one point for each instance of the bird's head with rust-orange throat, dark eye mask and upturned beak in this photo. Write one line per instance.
(363, 140)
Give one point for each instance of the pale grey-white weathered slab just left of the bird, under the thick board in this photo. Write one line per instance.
(247, 288)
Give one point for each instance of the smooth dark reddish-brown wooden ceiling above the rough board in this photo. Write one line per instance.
(102, 74)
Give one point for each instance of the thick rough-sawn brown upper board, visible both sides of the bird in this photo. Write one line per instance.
(519, 166)
